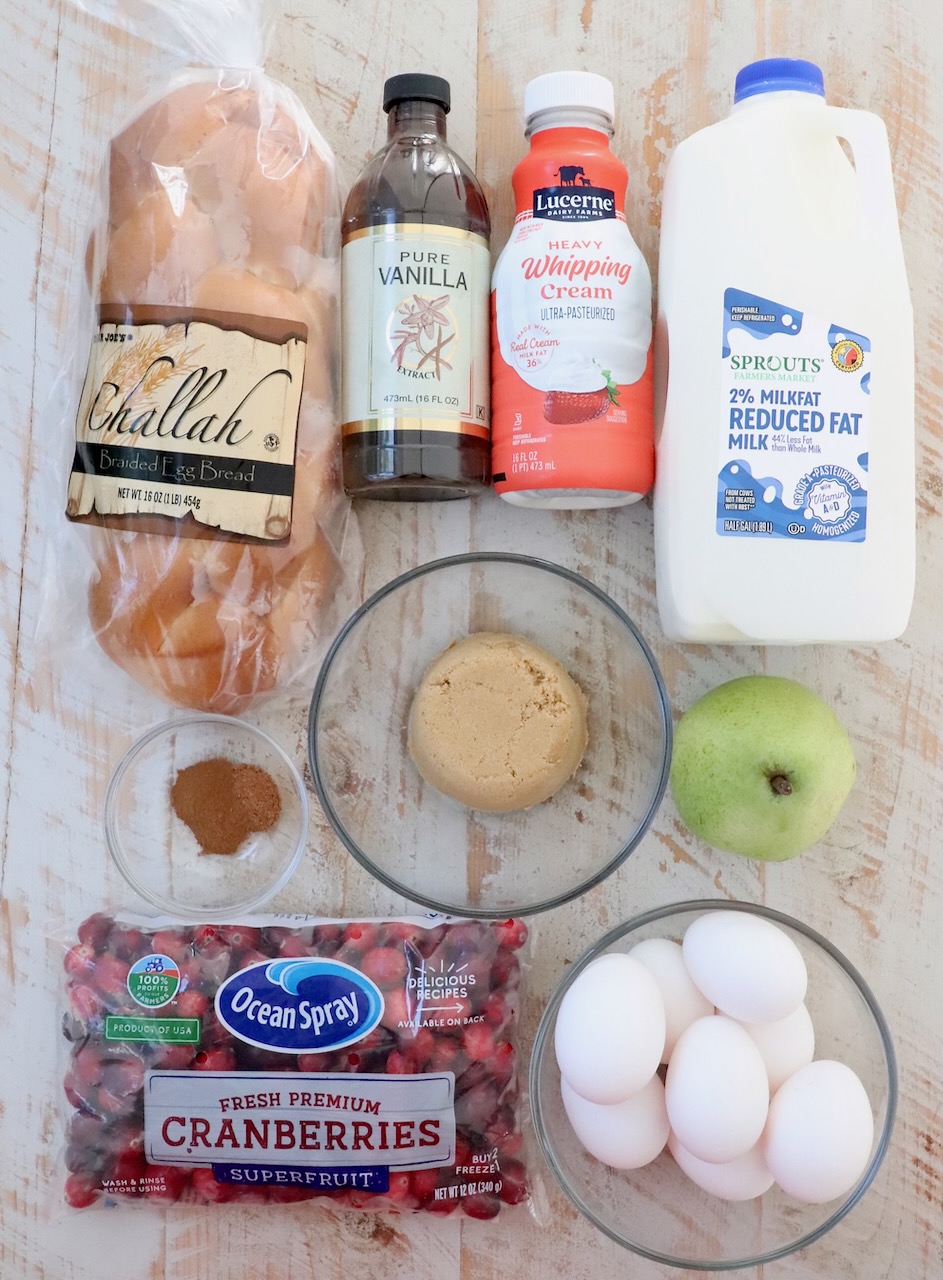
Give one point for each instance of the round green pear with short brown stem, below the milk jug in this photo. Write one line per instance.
(761, 767)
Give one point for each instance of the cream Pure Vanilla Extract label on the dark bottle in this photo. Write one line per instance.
(416, 331)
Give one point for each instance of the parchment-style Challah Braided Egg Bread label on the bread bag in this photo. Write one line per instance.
(190, 419)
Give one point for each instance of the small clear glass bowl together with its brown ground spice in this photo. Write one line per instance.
(207, 817)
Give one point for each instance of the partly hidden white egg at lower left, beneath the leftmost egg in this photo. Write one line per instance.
(626, 1135)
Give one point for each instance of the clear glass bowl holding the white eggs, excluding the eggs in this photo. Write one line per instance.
(657, 1212)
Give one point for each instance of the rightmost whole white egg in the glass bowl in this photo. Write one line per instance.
(820, 1133)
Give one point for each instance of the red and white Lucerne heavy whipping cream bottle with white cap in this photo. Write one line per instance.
(571, 356)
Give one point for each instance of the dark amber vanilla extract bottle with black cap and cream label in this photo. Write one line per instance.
(416, 269)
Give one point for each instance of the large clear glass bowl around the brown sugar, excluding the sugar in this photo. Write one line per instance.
(431, 848)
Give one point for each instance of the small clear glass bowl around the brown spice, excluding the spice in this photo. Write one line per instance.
(159, 856)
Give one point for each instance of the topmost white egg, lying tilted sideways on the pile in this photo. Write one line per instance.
(745, 966)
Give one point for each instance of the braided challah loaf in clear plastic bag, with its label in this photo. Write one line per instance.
(223, 552)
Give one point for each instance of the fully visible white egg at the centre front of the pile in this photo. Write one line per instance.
(717, 1091)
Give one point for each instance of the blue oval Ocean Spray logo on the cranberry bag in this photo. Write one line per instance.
(300, 1007)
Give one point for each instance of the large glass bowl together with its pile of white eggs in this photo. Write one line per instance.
(713, 1085)
